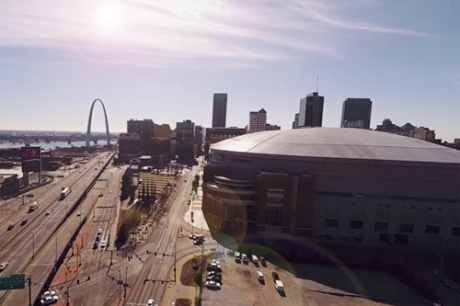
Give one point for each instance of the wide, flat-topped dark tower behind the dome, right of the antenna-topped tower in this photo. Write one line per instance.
(356, 113)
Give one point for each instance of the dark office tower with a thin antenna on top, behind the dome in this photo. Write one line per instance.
(311, 110)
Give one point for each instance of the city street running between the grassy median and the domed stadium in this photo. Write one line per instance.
(164, 238)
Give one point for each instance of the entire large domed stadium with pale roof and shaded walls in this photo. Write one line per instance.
(335, 183)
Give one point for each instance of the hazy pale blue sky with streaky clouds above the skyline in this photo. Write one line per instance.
(164, 60)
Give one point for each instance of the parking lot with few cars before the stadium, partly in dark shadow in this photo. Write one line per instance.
(315, 285)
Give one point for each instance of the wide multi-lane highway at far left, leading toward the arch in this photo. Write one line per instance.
(43, 229)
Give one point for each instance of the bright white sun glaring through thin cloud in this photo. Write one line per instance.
(108, 17)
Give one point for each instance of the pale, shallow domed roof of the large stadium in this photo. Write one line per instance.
(342, 143)
